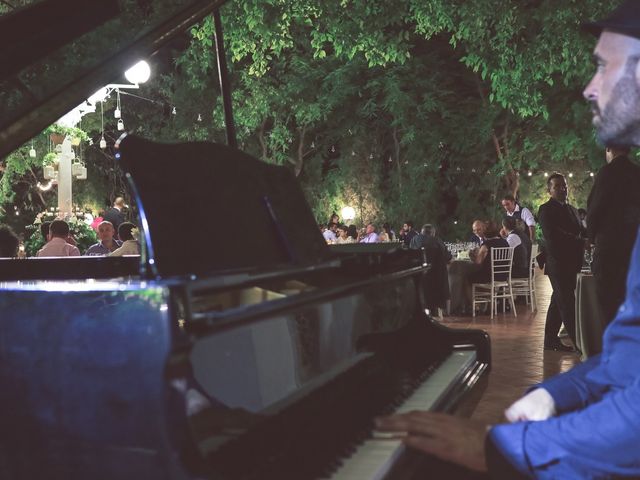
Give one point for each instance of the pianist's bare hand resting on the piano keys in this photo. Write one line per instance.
(450, 438)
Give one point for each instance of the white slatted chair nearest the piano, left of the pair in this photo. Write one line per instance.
(500, 285)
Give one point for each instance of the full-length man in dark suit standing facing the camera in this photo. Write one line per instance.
(564, 246)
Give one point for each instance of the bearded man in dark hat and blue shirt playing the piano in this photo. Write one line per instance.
(584, 423)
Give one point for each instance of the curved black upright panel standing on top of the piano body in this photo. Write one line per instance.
(220, 210)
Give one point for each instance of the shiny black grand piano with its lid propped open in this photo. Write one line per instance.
(263, 356)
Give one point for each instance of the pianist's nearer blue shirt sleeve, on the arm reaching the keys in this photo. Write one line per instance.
(598, 441)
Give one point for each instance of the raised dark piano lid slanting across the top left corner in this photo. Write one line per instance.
(57, 53)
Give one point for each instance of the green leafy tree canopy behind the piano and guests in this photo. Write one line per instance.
(429, 110)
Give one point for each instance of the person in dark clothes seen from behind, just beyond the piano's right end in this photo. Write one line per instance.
(436, 284)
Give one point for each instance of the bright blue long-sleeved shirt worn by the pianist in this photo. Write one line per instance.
(596, 433)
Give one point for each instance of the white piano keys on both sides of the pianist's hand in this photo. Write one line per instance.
(373, 458)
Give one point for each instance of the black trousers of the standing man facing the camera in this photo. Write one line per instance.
(562, 308)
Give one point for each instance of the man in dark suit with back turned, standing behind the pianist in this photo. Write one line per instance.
(613, 216)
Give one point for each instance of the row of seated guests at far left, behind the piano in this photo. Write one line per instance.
(60, 243)
